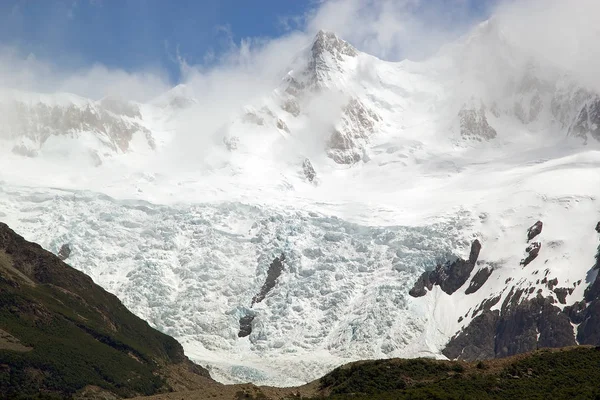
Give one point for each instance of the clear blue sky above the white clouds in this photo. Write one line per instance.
(163, 36)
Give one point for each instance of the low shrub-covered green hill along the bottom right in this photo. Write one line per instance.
(572, 373)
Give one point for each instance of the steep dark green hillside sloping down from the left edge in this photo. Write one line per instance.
(61, 333)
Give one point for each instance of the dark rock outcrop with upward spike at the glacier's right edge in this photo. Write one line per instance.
(450, 276)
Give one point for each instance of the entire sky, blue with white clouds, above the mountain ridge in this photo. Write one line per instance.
(227, 51)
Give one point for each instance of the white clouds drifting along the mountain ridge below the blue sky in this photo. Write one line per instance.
(563, 32)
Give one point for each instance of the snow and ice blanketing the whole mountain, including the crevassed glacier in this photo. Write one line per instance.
(438, 160)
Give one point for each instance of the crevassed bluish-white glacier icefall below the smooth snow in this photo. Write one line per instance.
(192, 270)
